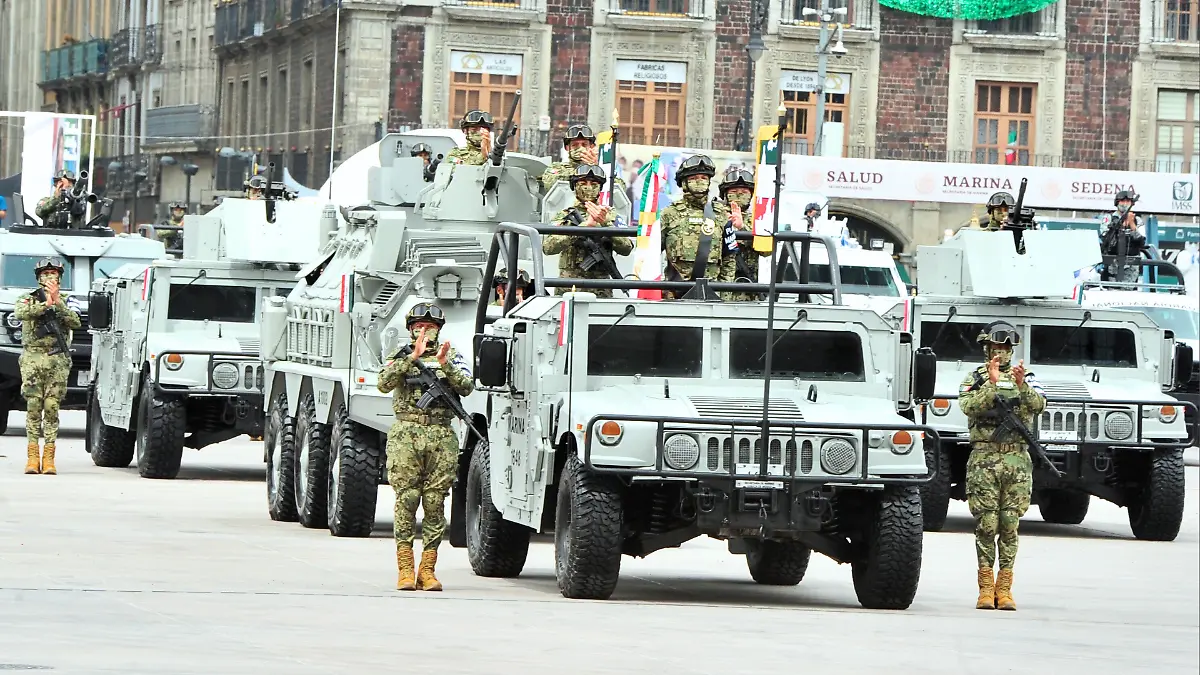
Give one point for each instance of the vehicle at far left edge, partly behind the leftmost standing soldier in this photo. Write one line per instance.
(92, 253)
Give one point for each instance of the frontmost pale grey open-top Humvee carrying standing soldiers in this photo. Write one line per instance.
(626, 427)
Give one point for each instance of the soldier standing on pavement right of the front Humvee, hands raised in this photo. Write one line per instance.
(1000, 473)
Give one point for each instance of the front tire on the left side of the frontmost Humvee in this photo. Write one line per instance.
(587, 534)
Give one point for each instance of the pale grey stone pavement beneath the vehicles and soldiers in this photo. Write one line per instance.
(103, 572)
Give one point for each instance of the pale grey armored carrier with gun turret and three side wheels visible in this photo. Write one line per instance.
(326, 343)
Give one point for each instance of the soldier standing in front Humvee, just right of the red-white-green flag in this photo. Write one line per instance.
(691, 225)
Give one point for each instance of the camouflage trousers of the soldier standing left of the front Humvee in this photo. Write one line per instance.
(423, 461)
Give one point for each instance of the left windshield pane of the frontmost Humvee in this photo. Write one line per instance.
(664, 351)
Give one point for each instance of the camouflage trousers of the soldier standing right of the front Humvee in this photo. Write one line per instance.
(1000, 483)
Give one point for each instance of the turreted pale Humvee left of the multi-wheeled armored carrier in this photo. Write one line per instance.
(177, 361)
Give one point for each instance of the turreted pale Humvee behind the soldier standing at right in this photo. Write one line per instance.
(1109, 425)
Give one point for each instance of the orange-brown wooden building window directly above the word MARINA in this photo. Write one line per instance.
(1004, 123)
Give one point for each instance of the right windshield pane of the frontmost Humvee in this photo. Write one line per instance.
(808, 355)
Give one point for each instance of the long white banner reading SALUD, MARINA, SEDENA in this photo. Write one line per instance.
(1070, 189)
